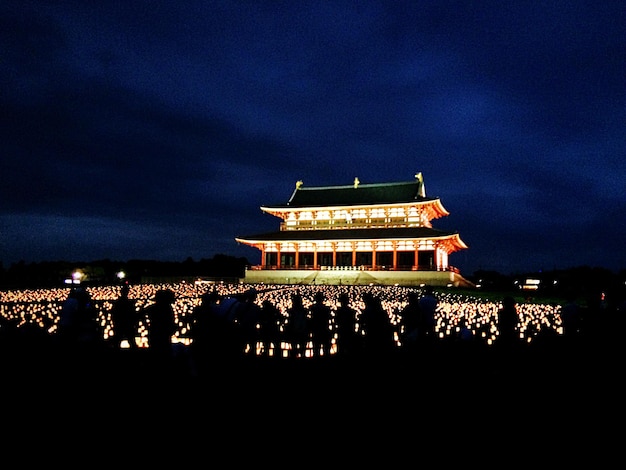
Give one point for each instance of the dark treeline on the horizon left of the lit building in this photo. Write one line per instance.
(22, 275)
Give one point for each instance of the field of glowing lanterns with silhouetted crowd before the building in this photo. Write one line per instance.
(194, 330)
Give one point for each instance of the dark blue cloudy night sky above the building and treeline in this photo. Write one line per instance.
(156, 130)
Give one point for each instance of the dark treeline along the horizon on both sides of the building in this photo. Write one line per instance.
(582, 281)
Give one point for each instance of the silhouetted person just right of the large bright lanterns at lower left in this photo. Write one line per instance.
(161, 328)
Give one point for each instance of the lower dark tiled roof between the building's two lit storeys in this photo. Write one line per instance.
(352, 234)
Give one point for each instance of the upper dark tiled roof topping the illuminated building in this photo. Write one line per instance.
(361, 194)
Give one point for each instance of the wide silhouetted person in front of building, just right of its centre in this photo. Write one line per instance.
(378, 331)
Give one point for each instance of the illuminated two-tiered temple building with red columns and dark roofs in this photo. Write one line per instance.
(357, 234)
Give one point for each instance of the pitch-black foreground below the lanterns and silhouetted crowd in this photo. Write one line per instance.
(552, 403)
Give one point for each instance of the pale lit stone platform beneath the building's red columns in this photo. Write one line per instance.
(355, 277)
